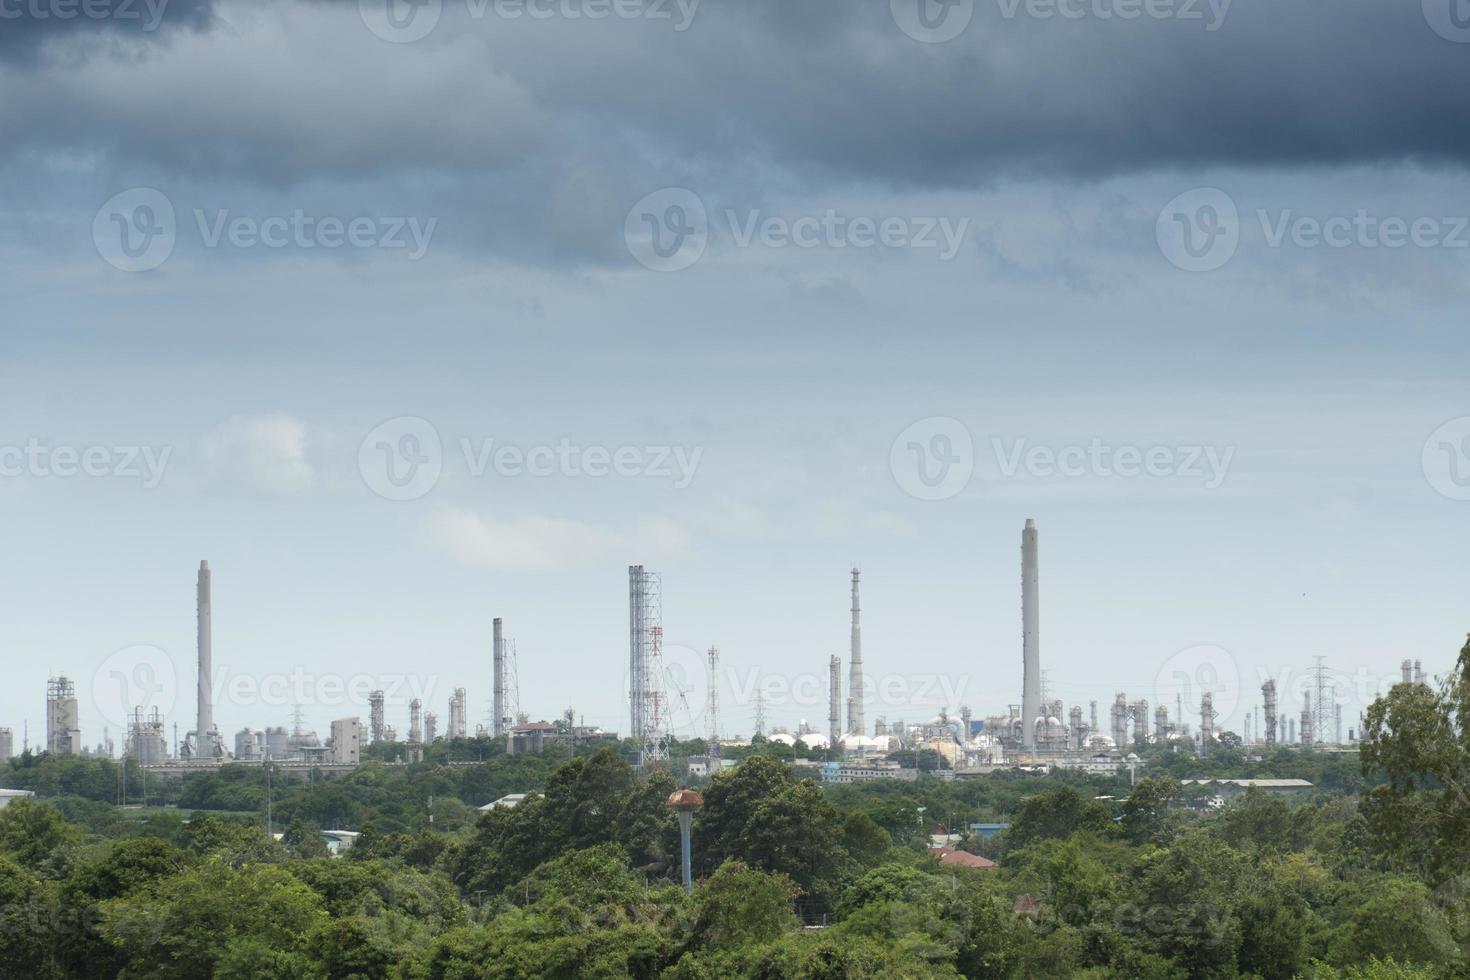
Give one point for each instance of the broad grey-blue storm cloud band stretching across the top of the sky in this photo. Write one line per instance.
(814, 90)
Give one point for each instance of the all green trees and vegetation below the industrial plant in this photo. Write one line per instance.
(1096, 878)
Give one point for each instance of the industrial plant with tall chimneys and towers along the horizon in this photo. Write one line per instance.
(1039, 731)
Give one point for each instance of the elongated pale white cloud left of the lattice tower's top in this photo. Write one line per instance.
(546, 544)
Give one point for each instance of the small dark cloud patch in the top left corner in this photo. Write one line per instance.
(29, 26)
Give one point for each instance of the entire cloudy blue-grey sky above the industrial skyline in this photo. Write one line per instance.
(411, 317)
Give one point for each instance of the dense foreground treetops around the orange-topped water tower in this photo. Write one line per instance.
(583, 882)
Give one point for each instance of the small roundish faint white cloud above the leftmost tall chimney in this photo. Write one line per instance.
(264, 453)
